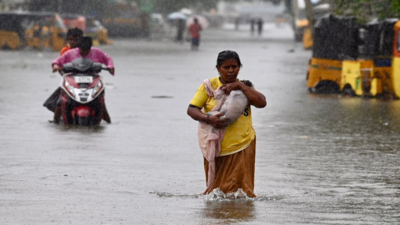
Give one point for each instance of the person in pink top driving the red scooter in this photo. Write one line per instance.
(85, 50)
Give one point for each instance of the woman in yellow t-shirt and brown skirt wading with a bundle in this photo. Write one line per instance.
(234, 164)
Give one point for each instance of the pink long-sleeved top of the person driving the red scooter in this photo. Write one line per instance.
(95, 54)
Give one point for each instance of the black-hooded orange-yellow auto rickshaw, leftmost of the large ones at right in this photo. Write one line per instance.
(334, 41)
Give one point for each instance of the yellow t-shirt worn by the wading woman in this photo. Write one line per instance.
(239, 134)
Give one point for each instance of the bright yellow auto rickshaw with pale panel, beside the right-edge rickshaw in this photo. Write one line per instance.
(371, 74)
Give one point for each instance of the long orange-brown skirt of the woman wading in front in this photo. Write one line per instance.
(235, 171)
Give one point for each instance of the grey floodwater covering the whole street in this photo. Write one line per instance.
(321, 159)
